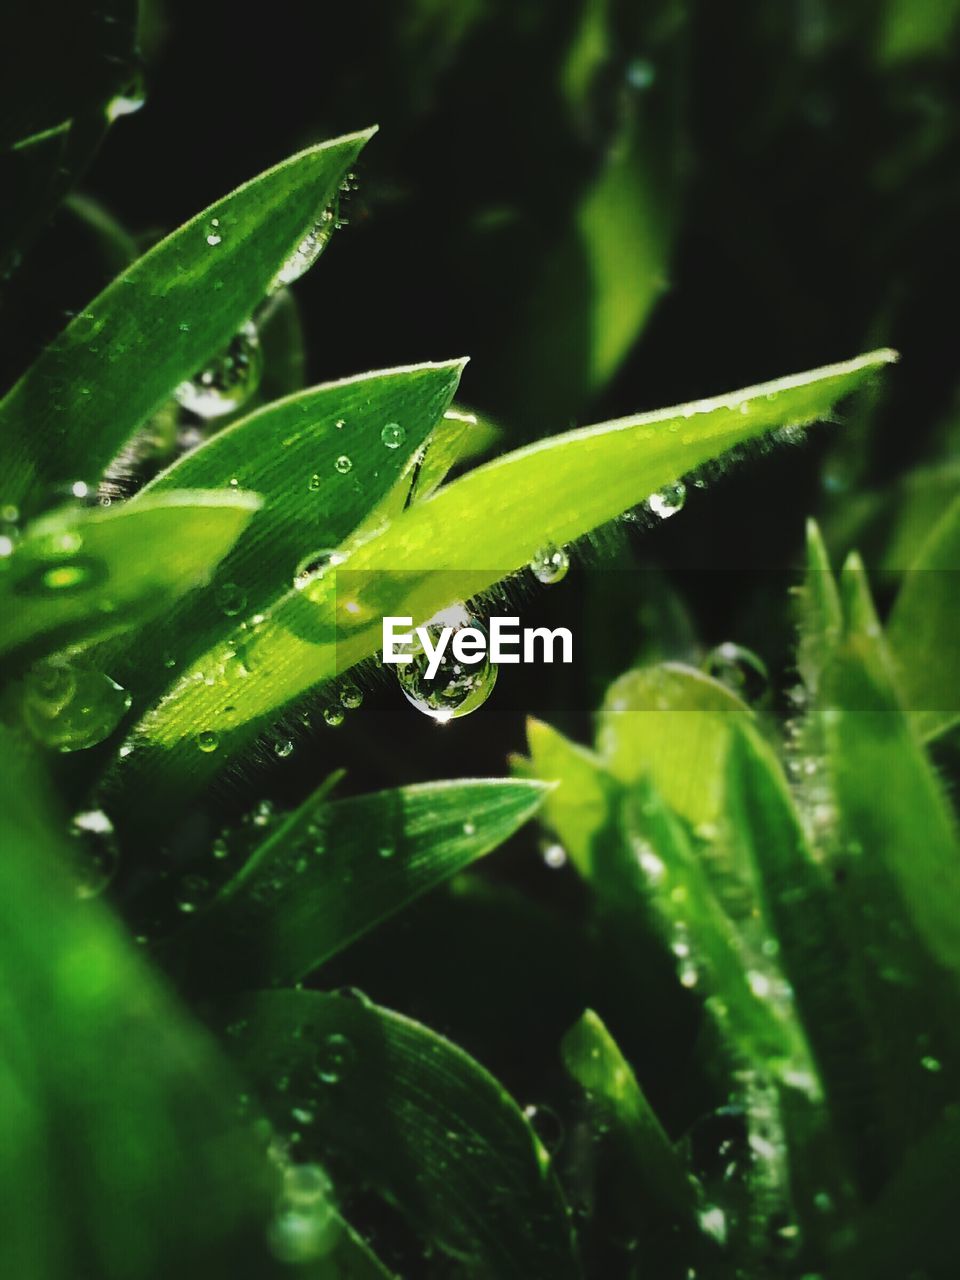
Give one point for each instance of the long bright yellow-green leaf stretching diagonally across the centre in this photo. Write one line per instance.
(467, 538)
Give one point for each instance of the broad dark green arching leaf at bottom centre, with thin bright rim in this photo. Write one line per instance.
(418, 1119)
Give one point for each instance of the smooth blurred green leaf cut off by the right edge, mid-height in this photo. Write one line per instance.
(925, 627)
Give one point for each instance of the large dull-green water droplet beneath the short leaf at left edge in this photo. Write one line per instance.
(72, 708)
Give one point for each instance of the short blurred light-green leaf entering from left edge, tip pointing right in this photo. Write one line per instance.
(81, 574)
